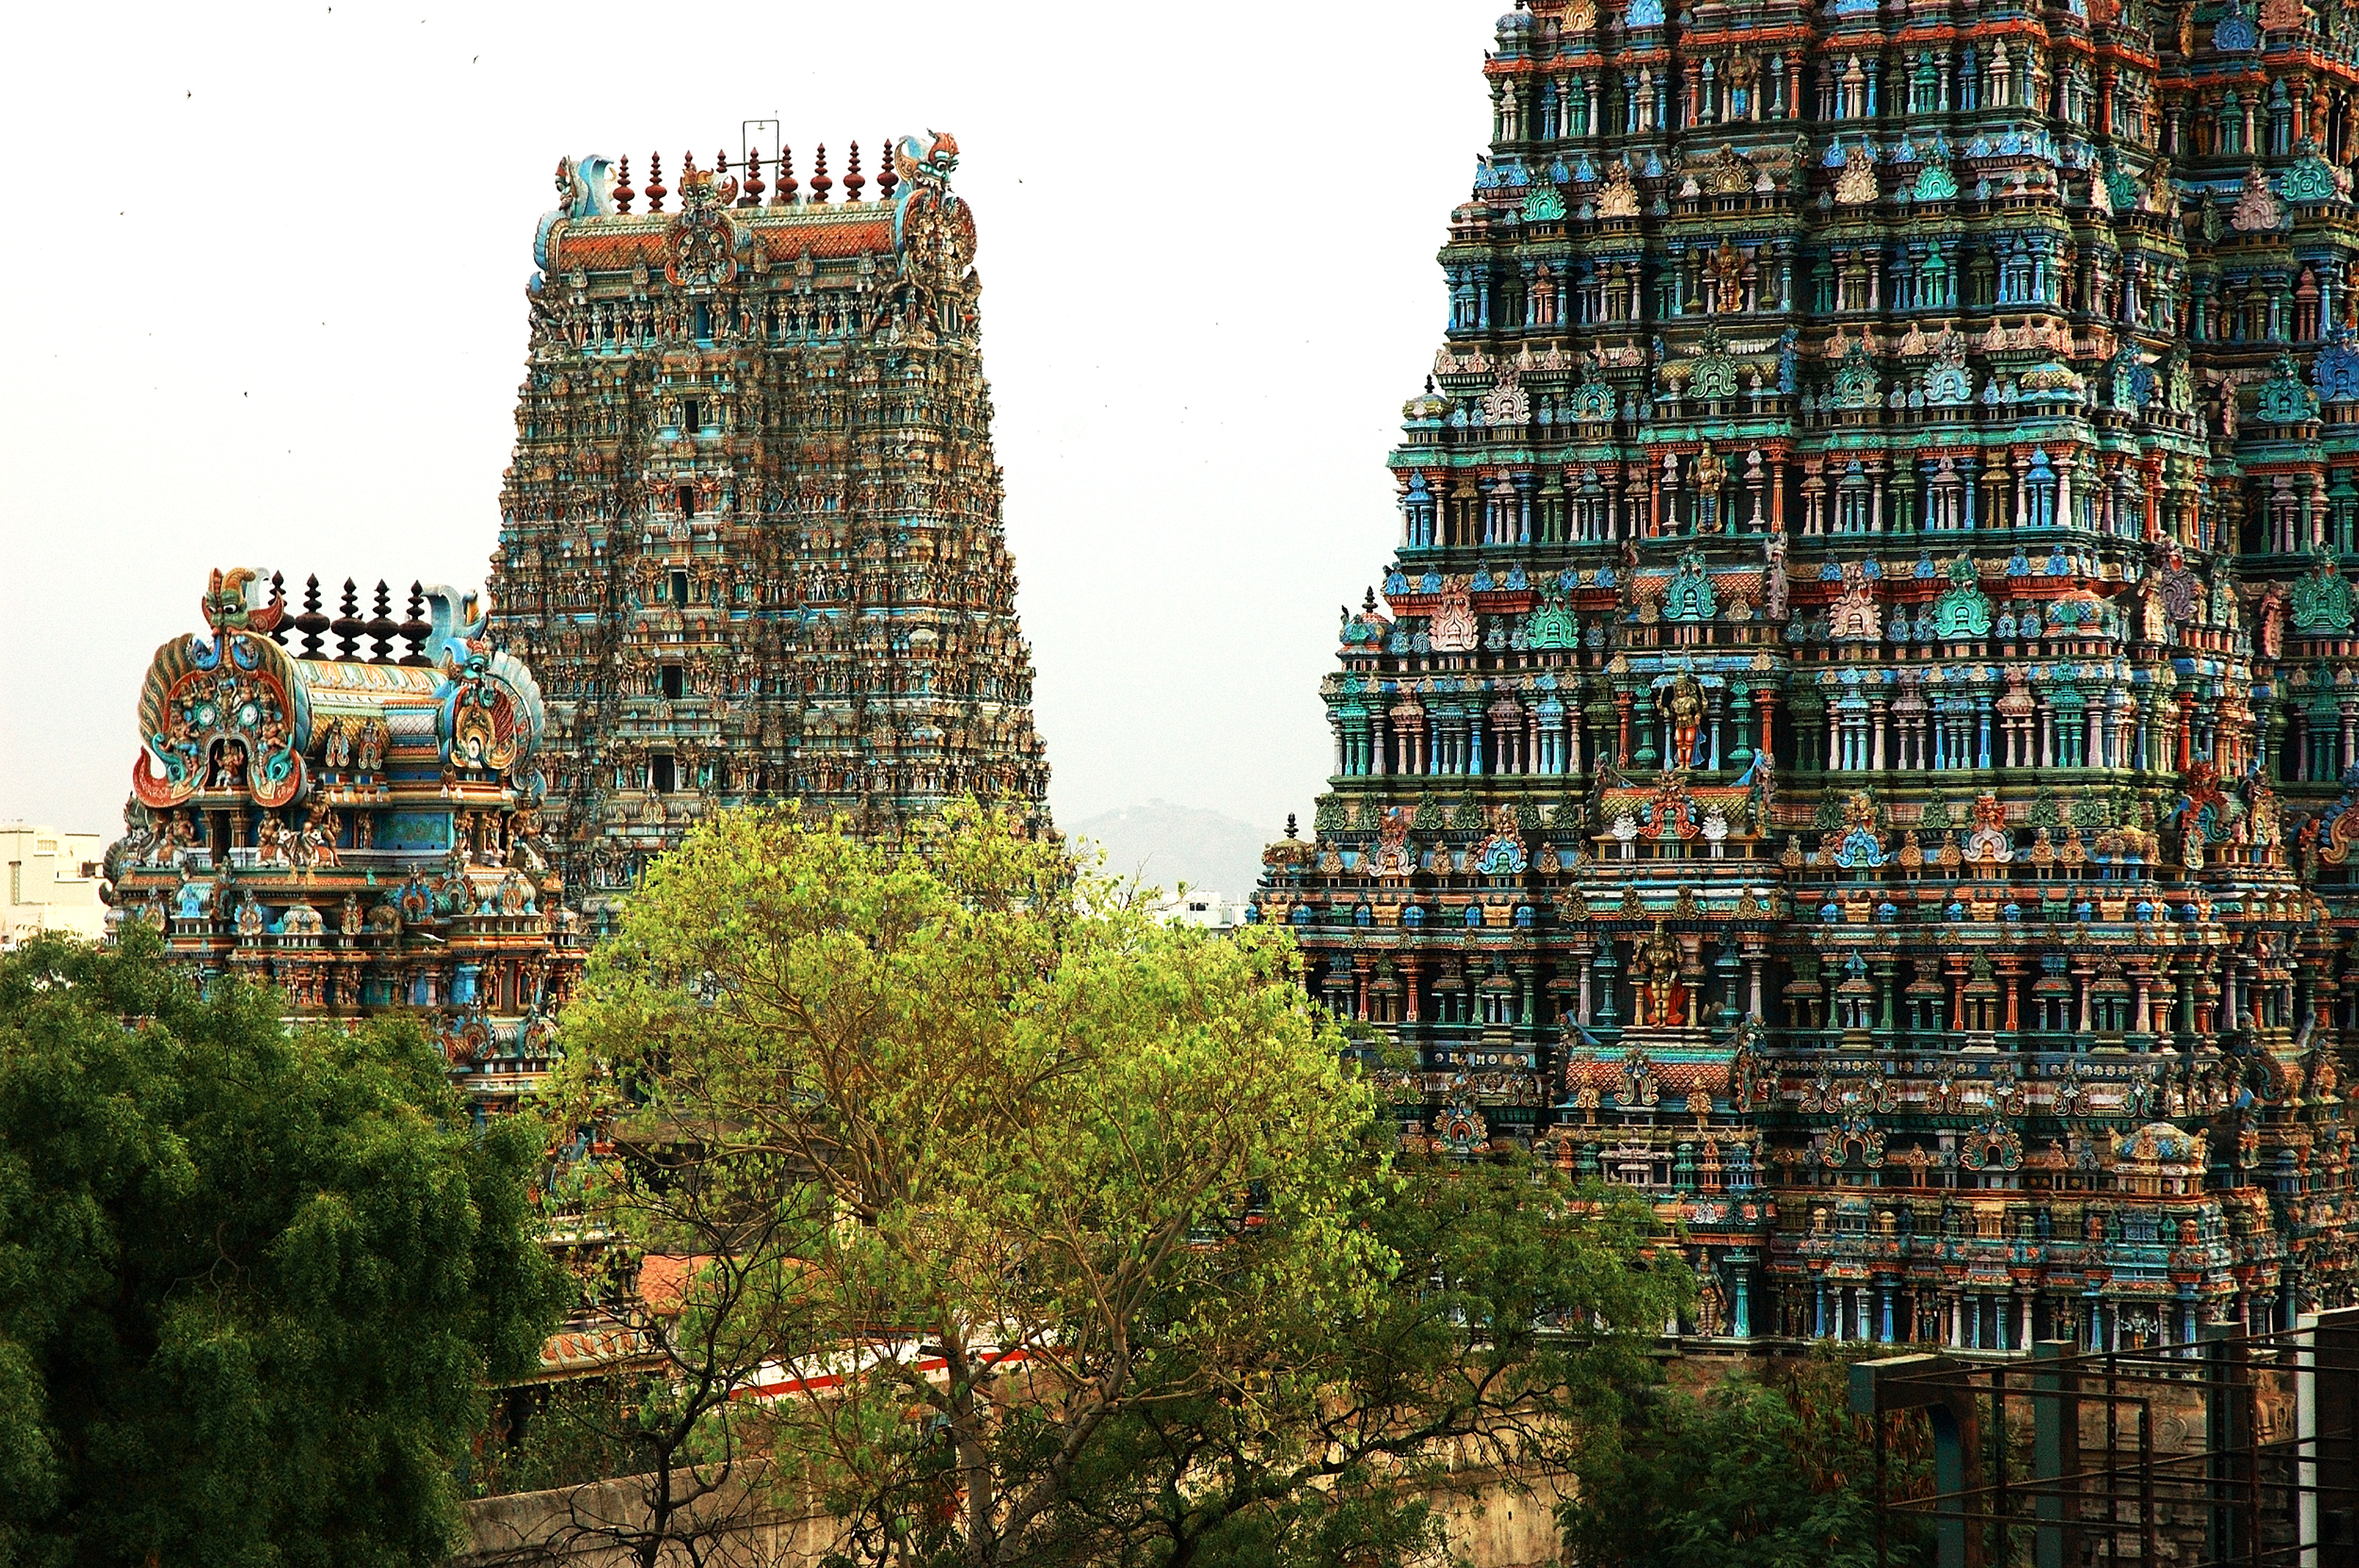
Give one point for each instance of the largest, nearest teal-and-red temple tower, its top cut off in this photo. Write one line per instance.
(1860, 734)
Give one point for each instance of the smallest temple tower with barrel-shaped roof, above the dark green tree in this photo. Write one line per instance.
(355, 829)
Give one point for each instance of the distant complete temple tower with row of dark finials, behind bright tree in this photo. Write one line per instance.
(751, 536)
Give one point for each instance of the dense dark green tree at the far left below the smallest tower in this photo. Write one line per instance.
(251, 1282)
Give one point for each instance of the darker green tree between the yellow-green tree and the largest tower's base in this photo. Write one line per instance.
(1518, 1312)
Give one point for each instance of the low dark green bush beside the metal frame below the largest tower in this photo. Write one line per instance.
(1759, 1473)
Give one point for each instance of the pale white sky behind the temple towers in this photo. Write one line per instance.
(268, 279)
